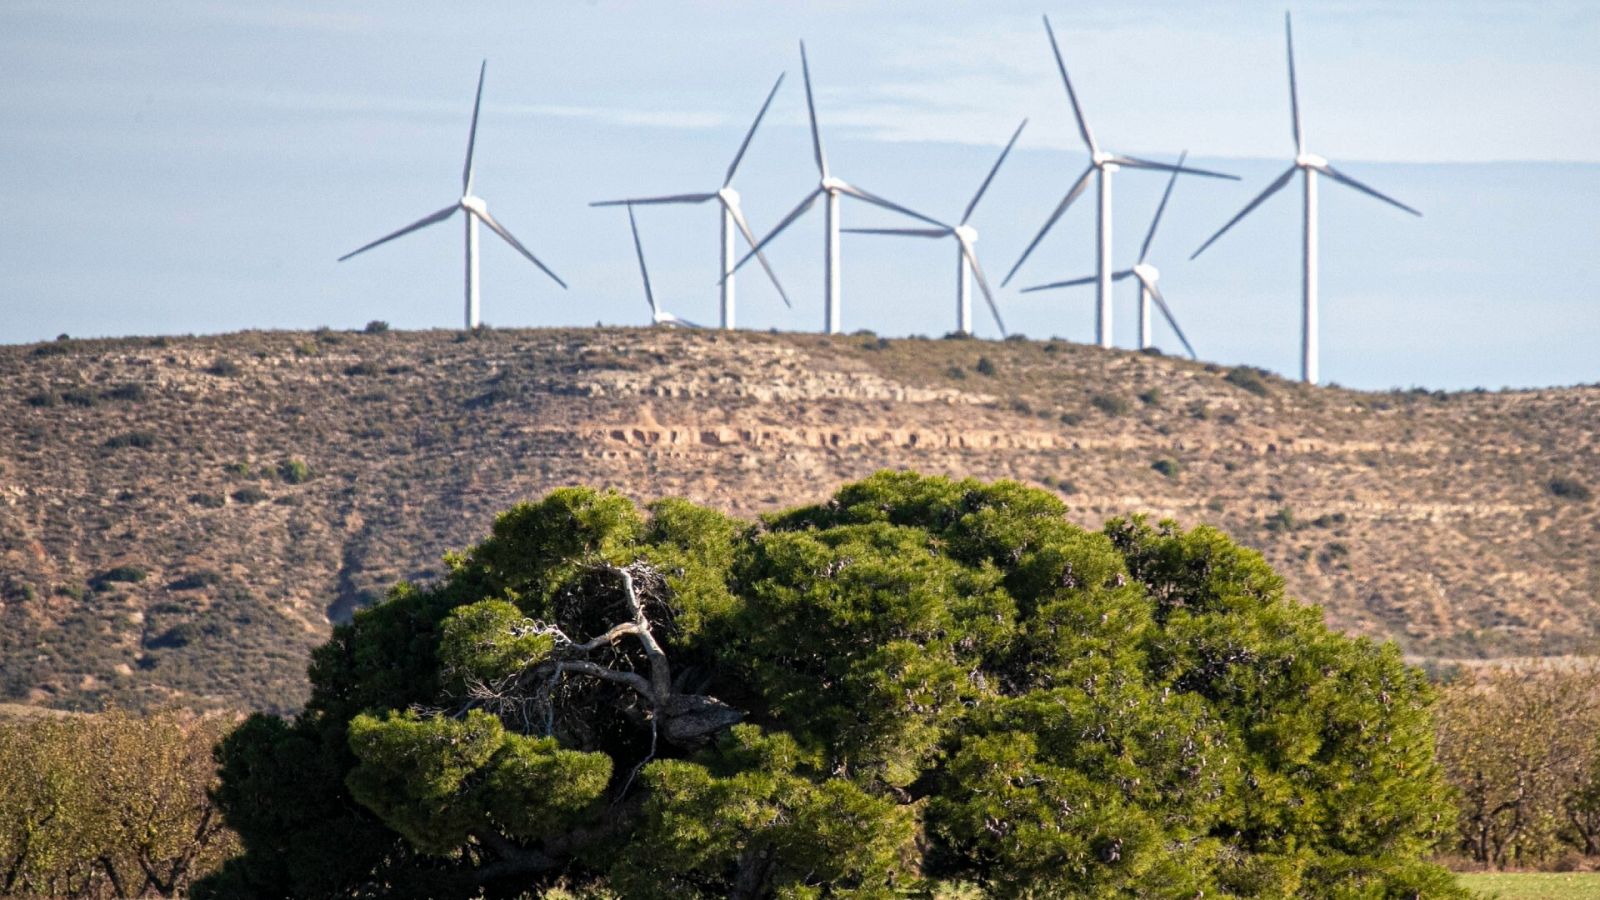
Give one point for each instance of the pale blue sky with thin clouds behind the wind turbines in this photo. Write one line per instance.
(199, 167)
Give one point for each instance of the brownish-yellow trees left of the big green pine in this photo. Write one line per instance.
(113, 805)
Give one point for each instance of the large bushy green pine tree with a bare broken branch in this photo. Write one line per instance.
(918, 688)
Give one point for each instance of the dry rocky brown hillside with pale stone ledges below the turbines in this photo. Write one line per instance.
(182, 518)
